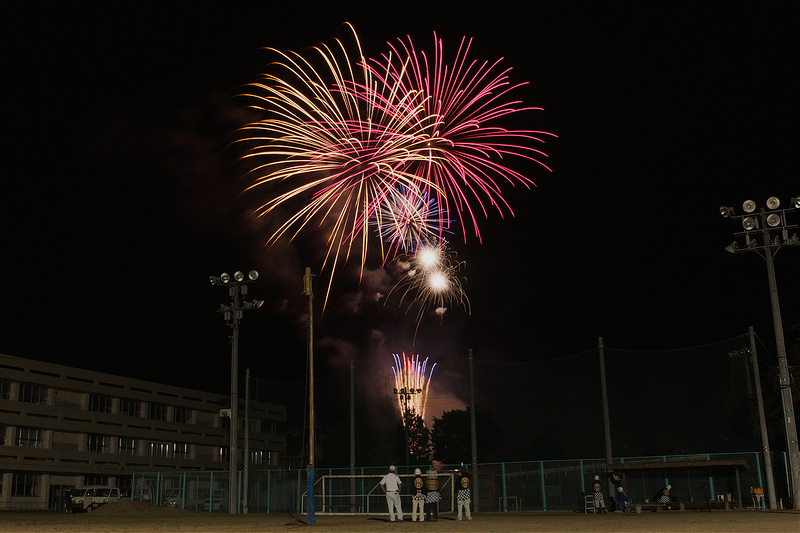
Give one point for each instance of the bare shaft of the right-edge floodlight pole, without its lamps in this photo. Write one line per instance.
(785, 379)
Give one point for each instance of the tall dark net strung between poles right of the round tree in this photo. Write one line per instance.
(672, 402)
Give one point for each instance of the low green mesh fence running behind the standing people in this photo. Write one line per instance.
(501, 487)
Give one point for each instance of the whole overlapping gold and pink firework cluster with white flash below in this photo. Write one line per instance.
(398, 143)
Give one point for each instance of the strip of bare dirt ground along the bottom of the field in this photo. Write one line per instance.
(142, 517)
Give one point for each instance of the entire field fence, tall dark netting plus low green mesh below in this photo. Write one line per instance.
(693, 406)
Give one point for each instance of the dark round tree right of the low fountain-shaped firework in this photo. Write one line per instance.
(450, 436)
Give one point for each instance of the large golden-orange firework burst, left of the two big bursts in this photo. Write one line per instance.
(330, 148)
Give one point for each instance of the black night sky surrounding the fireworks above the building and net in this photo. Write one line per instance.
(120, 197)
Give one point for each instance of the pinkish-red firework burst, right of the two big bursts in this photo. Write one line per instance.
(468, 147)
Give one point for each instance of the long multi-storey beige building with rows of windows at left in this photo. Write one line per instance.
(62, 426)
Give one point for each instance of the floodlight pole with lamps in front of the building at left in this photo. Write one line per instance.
(237, 289)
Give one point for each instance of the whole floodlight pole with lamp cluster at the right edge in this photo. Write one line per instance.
(765, 232)
